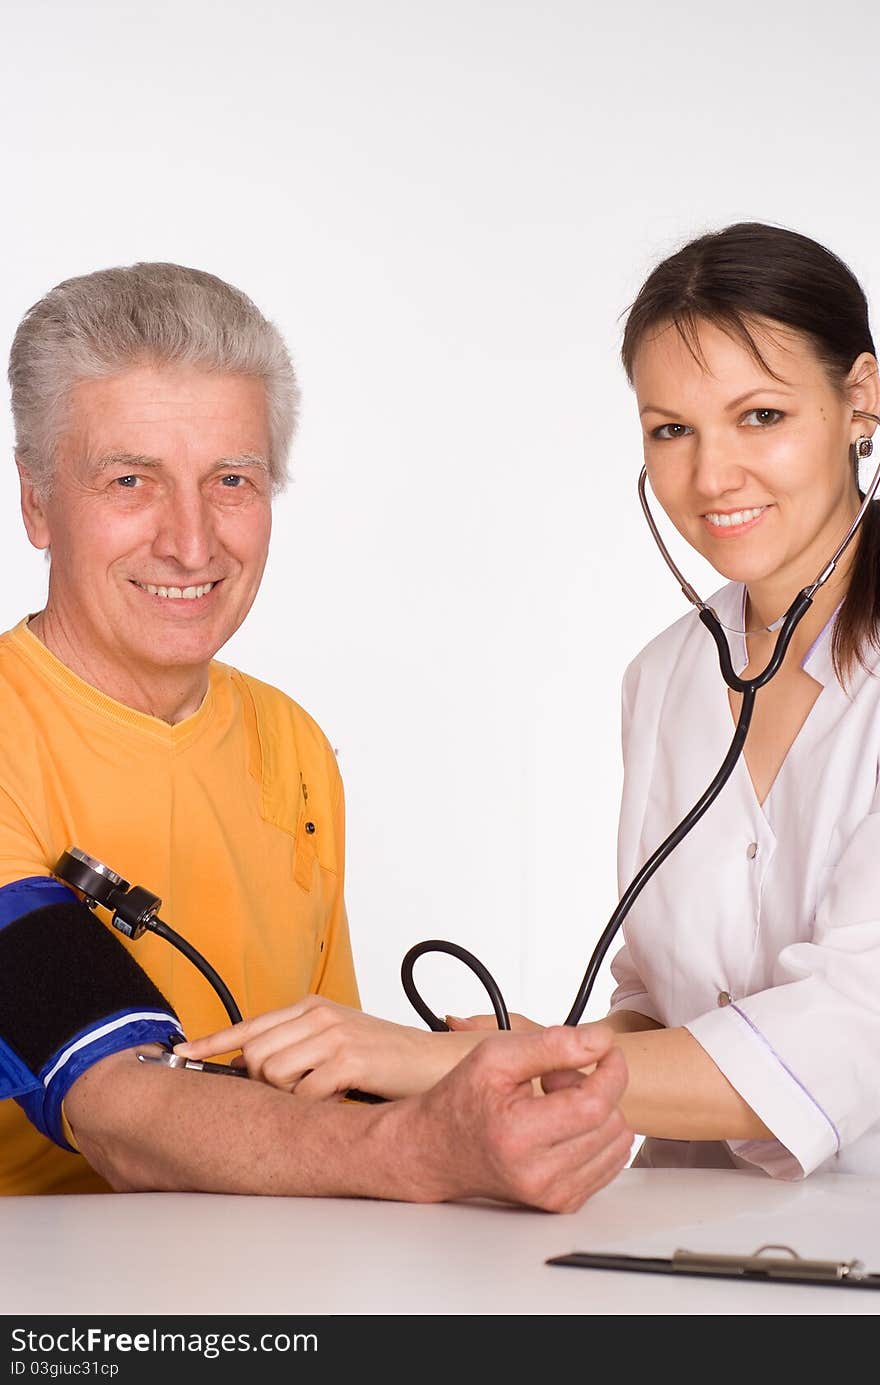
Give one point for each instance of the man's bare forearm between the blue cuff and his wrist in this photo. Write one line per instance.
(155, 1129)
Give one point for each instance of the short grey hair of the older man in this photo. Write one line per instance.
(114, 319)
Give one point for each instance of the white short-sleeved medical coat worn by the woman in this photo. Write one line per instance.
(762, 933)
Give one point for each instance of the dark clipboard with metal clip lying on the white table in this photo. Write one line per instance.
(763, 1267)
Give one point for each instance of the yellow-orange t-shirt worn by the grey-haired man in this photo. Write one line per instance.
(235, 818)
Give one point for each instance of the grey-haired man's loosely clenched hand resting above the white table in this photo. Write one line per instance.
(483, 1134)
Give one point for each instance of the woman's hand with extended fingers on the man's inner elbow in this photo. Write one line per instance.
(319, 1049)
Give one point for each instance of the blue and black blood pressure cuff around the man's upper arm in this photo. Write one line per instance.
(70, 995)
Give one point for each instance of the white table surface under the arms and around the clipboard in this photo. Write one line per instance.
(203, 1254)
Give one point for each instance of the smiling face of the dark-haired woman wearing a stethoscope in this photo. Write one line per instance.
(750, 462)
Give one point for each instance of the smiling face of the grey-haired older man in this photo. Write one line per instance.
(160, 516)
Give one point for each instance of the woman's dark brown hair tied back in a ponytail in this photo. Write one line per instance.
(752, 271)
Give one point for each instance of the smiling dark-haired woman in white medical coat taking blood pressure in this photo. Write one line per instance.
(748, 1001)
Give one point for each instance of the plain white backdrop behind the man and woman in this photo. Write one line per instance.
(447, 208)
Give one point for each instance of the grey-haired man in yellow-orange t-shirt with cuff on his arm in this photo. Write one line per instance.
(155, 408)
